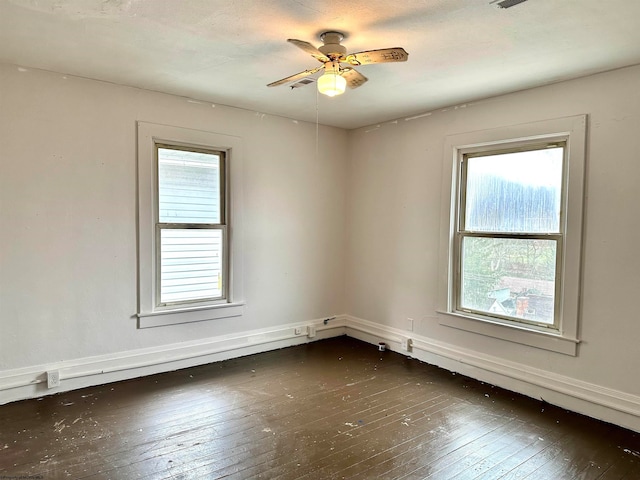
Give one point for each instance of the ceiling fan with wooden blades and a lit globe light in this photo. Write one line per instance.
(332, 55)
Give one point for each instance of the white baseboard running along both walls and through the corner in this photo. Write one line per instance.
(606, 404)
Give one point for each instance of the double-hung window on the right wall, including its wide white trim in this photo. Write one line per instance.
(511, 230)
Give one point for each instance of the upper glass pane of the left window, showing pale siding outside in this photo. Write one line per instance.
(188, 187)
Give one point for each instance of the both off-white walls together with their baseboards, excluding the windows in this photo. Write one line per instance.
(353, 232)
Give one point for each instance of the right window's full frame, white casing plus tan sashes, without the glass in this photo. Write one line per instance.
(563, 336)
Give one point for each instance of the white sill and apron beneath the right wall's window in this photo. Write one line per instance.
(554, 342)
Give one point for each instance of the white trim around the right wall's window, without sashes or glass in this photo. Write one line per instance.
(565, 339)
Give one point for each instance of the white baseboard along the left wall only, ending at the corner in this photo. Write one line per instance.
(78, 373)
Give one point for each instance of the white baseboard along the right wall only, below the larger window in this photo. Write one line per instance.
(596, 401)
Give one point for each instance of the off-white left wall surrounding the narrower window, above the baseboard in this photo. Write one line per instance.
(68, 218)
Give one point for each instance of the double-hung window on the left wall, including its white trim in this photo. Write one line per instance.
(189, 225)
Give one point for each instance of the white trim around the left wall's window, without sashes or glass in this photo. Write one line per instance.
(149, 314)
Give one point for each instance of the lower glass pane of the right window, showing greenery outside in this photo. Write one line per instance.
(509, 277)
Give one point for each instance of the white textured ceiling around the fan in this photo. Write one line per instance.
(227, 51)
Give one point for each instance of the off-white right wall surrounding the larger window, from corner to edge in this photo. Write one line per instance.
(394, 203)
